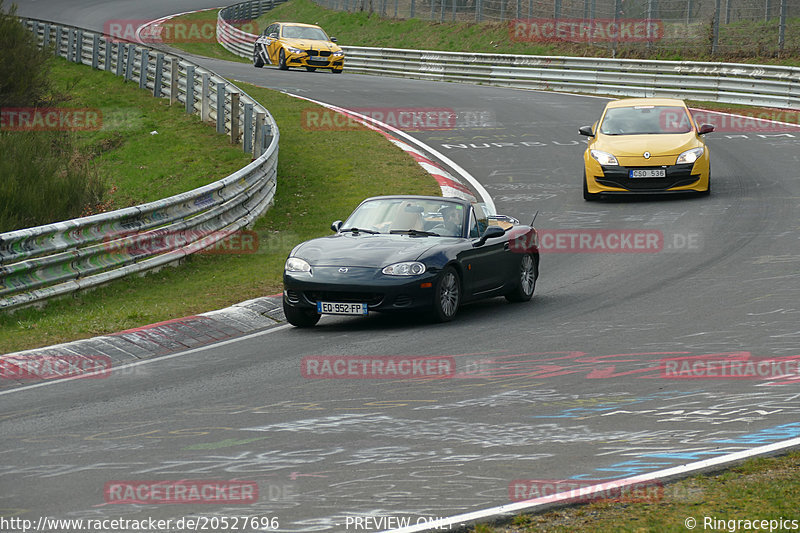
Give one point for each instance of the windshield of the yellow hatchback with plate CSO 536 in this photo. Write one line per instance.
(645, 119)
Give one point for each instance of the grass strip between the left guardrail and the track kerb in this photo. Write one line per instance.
(314, 189)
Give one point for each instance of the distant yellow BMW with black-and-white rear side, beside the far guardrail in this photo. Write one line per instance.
(291, 44)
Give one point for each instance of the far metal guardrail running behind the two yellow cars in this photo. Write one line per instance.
(732, 83)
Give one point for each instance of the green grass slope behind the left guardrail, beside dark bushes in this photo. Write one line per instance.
(141, 166)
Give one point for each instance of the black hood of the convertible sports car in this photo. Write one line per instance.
(364, 250)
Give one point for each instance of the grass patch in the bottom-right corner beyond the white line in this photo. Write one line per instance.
(759, 489)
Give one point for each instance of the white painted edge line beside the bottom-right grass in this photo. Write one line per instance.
(536, 504)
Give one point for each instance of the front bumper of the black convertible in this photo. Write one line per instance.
(358, 285)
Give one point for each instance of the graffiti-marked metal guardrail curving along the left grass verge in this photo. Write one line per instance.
(55, 259)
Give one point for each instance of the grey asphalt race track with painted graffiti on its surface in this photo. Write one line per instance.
(568, 386)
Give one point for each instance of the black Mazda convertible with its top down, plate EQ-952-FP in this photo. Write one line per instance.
(398, 253)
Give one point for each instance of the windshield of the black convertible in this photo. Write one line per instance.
(412, 216)
